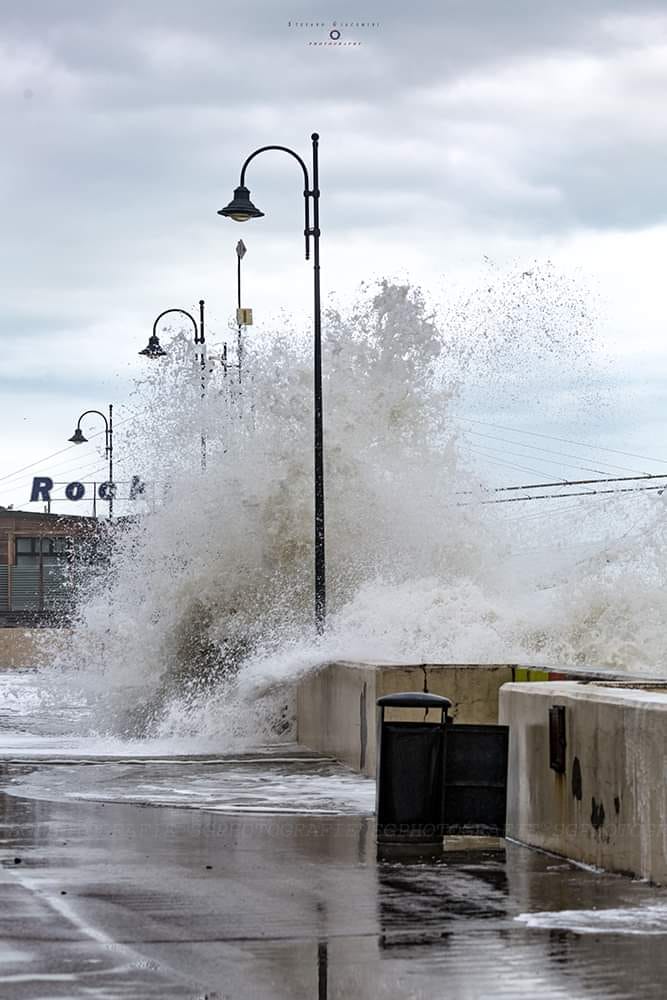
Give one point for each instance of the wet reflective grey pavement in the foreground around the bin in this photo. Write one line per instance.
(121, 899)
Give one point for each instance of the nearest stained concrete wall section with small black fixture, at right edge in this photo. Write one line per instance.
(609, 806)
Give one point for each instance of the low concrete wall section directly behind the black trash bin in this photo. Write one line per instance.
(336, 705)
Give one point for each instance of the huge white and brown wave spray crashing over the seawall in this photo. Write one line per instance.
(205, 608)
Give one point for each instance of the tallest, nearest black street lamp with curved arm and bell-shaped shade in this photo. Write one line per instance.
(240, 209)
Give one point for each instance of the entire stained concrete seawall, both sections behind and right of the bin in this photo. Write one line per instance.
(608, 806)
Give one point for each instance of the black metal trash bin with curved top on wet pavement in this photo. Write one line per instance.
(410, 772)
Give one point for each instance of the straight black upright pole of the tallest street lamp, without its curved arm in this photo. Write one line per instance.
(320, 560)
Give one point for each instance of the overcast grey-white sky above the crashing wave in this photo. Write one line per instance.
(455, 131)
